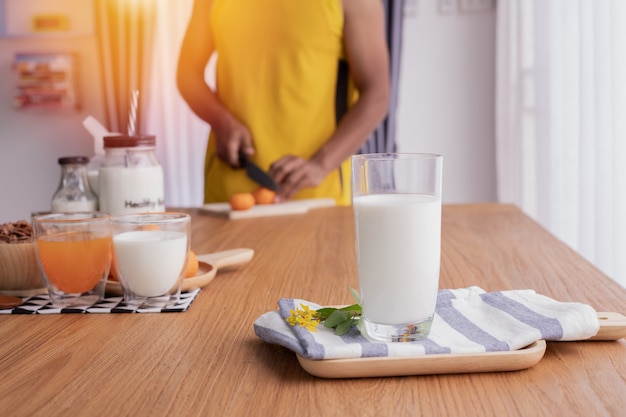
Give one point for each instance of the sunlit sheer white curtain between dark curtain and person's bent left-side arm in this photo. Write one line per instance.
(181, 136)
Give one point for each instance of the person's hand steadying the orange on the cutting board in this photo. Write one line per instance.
(293, 173)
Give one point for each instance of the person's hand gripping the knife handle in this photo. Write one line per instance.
(232, 138)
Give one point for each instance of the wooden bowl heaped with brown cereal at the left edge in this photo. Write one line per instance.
(19, 271)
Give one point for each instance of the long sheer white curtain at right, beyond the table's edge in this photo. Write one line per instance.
(561, 121)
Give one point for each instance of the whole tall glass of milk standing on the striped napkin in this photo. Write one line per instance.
(396, 200)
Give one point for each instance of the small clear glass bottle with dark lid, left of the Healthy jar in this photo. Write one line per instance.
(74, 193)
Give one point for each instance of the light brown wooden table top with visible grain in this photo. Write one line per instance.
(207, 361)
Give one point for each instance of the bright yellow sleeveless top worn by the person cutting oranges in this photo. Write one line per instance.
(277, 73)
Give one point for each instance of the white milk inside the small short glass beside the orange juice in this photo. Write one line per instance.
(150, 262)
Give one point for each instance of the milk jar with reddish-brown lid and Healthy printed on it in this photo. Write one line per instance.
(130, 179)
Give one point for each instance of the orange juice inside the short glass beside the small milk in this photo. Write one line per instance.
(75, 263)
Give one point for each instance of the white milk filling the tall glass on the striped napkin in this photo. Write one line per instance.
(399, 249)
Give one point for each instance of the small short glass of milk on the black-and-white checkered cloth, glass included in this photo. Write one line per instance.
(150, 252)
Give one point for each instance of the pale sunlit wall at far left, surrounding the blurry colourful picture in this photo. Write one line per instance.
(32, 140)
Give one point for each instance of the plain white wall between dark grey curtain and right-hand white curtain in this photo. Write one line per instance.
(447, 97)
